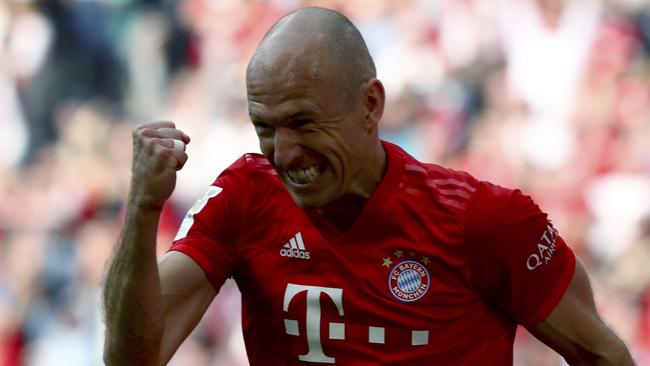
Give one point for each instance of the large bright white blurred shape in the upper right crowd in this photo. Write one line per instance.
(545, 63)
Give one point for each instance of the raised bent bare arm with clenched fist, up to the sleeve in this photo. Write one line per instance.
(145, 303)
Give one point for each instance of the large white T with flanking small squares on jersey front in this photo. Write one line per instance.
(336, 330)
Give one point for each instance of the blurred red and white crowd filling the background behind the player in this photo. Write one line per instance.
(550, 96)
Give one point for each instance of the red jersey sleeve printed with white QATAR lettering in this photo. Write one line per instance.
(517, 259)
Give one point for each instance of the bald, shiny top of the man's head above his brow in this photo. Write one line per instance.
(319, 43)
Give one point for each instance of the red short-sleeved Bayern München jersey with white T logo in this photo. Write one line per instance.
(438, 269)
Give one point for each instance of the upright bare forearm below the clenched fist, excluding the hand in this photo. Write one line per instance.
(132, 295)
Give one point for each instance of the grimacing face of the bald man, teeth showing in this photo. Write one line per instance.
(313, 142)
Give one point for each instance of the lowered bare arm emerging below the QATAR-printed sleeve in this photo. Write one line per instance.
(575, 330)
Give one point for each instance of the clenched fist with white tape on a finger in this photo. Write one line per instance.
(158, 152)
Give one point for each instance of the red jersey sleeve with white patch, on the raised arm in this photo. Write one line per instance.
(209, 231)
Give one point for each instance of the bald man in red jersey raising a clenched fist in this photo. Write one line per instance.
(346, 249)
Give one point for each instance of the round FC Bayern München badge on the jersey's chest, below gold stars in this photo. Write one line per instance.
(408, 281)
